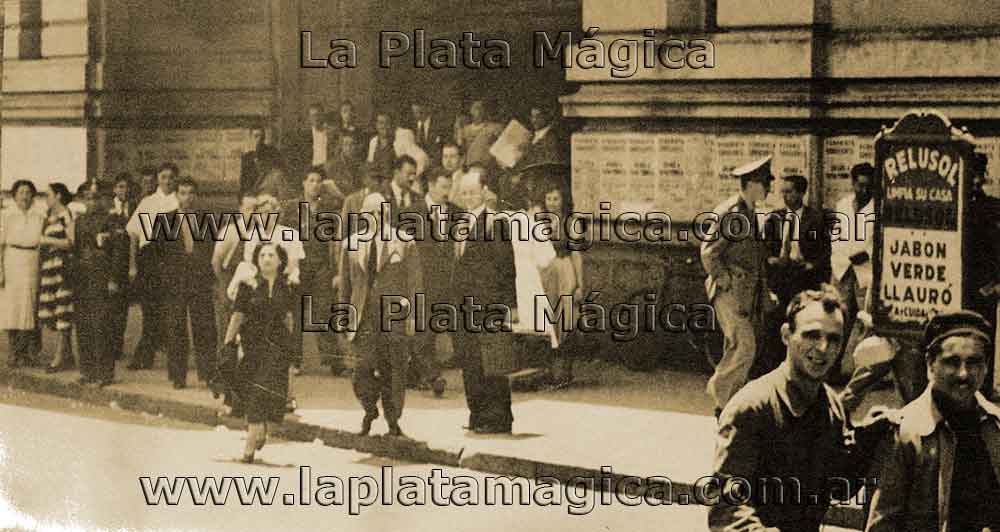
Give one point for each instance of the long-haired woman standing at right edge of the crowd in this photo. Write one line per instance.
(562, 277)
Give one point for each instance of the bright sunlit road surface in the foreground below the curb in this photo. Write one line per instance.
(72, 467)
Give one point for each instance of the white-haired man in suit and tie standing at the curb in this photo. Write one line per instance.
(379, 277)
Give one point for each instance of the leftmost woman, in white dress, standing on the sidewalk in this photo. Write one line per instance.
(20, 233)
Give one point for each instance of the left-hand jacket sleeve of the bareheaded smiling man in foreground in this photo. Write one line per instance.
(737, 448)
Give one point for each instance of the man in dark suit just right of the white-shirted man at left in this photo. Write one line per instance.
(187, 273)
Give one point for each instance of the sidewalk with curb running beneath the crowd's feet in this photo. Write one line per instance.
(638, 424)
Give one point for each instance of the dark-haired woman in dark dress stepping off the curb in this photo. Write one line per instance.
(261, 325)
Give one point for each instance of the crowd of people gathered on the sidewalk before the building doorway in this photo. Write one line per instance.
(236, 304)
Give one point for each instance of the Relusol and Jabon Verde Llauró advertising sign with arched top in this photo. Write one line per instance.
(922, 168)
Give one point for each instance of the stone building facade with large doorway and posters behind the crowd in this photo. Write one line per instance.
(93, 87)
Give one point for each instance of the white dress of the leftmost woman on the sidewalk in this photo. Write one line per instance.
(20, 233)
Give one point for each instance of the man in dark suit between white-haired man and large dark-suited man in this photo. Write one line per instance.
(436, 259)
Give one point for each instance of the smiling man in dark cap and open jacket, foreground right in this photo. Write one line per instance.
(941, 470)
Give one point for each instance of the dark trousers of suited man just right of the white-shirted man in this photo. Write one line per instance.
(198, 306)
